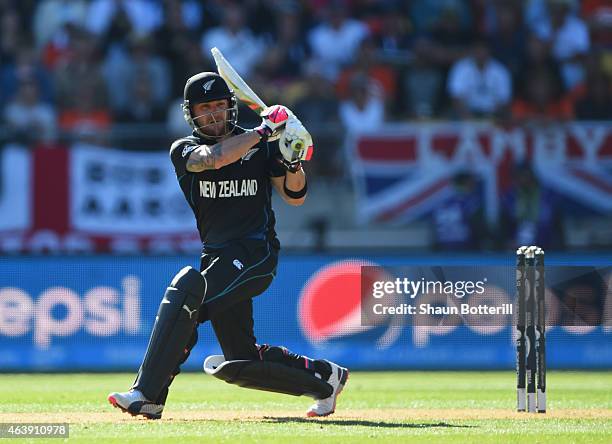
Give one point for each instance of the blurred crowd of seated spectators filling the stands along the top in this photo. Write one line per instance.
(80, 67)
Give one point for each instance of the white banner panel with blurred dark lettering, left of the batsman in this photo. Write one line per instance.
(125, 192)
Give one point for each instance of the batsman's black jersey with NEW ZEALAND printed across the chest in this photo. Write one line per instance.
(233, 202)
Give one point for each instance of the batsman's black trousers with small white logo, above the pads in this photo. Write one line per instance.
(234, 275)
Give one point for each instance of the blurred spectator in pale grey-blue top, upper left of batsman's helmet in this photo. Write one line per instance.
(141, 62)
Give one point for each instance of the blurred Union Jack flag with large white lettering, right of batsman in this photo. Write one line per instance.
(405, 171)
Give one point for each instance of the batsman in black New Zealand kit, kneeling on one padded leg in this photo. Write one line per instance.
(227, 174)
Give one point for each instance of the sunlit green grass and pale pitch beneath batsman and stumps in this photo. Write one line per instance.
(375, 407)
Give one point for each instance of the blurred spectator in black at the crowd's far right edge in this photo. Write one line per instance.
(597, 101)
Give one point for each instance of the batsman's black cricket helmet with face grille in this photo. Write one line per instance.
(208, 87)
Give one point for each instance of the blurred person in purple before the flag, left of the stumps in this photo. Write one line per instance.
(459, 224)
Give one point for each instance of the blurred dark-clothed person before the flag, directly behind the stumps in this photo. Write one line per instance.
(530, 214)
